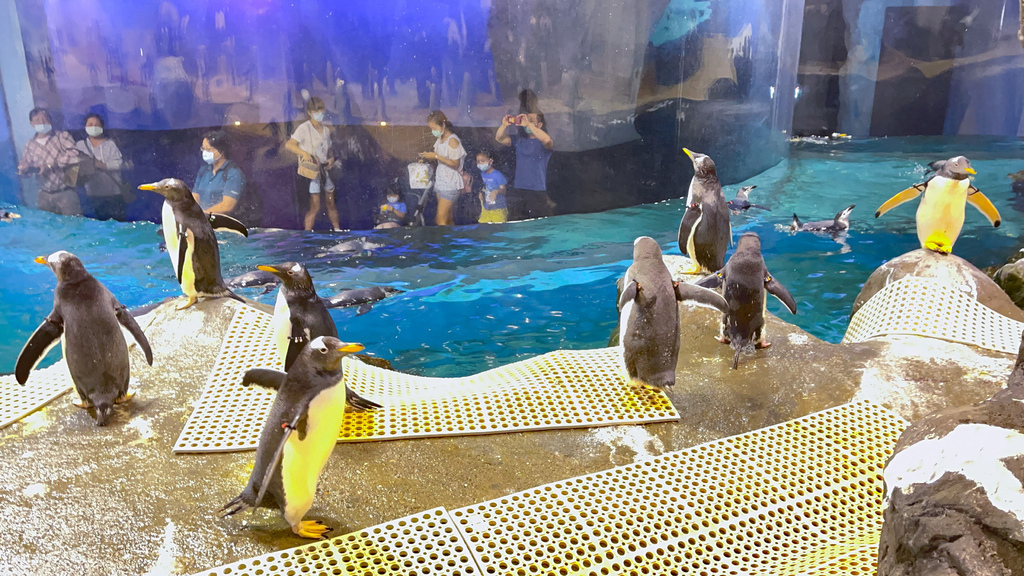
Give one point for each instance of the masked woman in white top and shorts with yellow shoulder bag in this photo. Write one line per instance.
(312, 143)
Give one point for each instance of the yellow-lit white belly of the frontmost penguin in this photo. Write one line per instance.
(304, 461)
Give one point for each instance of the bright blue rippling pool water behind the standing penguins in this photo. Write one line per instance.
(478, 298)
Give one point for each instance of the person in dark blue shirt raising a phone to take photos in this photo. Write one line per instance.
(533, 151)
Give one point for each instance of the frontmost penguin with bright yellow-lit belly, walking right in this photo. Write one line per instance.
(311, 401)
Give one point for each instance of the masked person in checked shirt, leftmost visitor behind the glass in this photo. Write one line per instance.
(47, 155)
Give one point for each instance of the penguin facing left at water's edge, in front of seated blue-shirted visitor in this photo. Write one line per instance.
(191, 241)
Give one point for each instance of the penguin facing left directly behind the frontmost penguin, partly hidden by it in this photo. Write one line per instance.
(300, 315)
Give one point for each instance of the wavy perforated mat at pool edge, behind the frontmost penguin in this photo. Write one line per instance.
(561, 390)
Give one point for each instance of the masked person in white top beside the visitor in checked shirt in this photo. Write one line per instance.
(104, 186)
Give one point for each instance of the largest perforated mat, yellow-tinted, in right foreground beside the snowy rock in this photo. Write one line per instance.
(785, 501)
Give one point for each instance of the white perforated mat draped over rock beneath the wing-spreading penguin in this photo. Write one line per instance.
(924, 307)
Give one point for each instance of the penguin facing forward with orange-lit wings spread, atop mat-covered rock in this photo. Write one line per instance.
(941, 215)
